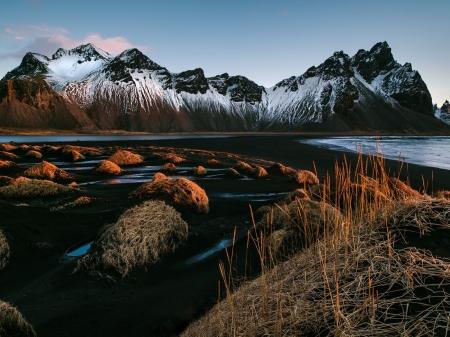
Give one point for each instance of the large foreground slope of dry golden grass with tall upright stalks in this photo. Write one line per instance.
(357, 276)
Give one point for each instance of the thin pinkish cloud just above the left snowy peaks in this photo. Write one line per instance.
(46, 40)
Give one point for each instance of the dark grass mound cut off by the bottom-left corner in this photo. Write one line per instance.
(12, 322)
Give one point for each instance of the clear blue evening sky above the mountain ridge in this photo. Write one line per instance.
(265, 41)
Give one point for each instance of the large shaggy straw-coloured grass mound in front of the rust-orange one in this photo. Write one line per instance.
(142, 235)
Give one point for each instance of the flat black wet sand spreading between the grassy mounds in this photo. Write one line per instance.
(158, 300)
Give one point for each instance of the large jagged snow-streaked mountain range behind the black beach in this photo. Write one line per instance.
(129, 91)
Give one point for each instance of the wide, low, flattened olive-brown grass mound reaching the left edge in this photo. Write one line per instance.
(33, 188)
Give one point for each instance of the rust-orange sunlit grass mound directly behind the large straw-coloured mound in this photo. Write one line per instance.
(179, 191)
